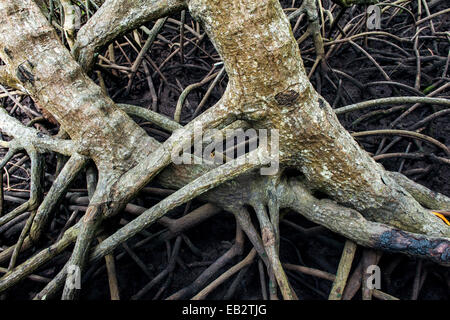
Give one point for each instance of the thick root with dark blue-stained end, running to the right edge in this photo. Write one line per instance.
(352, 225)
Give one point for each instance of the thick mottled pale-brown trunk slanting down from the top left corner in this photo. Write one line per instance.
(51, 76)
